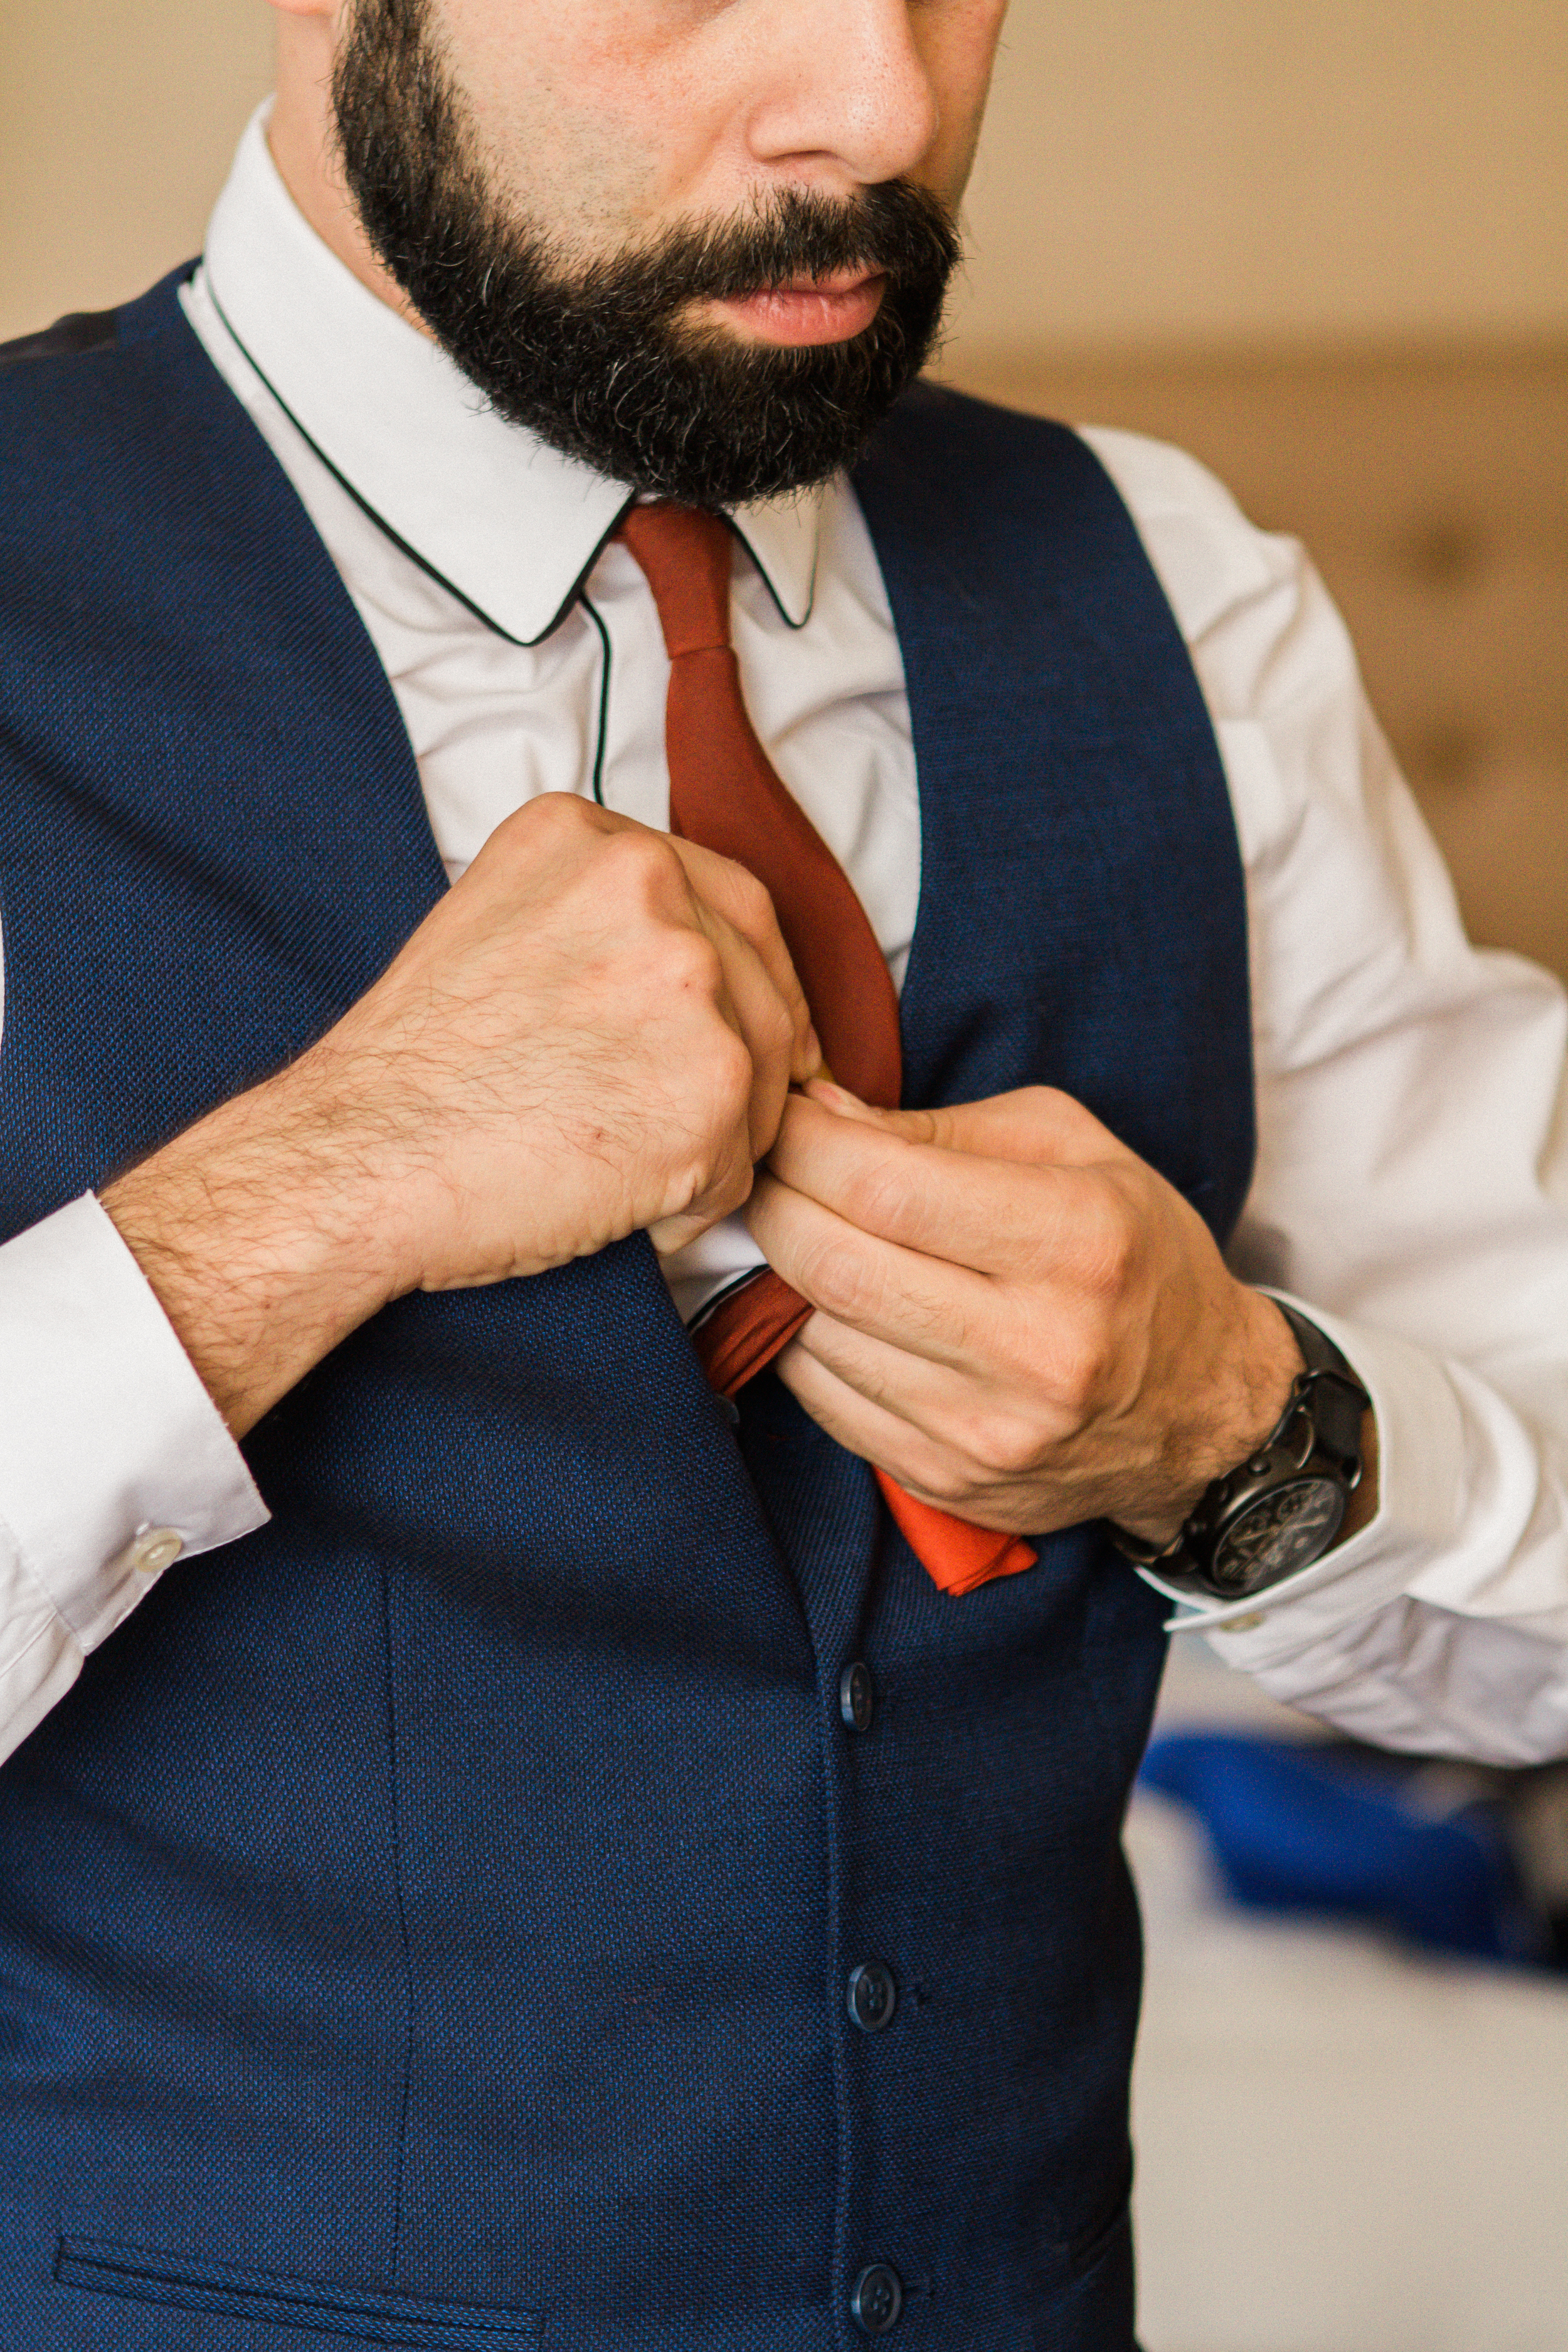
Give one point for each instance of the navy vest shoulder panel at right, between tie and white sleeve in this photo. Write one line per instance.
(1083, 909)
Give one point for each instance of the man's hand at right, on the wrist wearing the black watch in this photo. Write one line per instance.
(1017, 1316)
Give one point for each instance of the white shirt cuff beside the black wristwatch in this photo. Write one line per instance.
(1421, 1506)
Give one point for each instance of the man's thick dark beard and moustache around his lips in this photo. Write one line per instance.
(601, 363)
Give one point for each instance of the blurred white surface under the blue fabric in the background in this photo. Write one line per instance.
(1341, 2146)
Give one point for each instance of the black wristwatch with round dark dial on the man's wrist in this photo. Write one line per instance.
(1285, 1504)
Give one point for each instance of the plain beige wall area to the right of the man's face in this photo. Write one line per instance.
(1195, 173)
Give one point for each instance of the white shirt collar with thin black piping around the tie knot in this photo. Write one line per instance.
(507, 521)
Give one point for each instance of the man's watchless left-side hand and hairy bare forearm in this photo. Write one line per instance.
(594, 1031)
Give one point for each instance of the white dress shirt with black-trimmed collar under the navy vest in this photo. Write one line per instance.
(1412, 1187)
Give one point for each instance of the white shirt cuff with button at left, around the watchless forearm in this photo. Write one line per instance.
(114, 1459)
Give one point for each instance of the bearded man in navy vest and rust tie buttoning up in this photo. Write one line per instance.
(695, 987)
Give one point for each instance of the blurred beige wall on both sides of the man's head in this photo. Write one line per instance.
(1158, 173)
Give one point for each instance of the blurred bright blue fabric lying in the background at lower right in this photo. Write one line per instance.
(1346, 1831)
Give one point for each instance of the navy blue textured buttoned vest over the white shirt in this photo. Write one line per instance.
(429, 1920)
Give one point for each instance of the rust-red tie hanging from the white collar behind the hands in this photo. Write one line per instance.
(728, 796)
